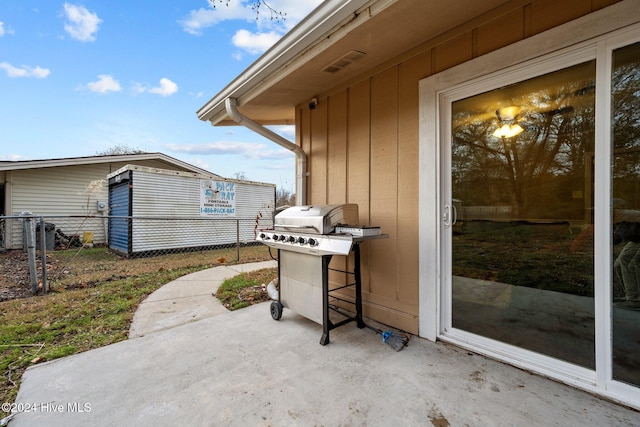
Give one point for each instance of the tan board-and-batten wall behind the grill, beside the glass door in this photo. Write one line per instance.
(362, 142)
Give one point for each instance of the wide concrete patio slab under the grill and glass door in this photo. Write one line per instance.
(243, 368)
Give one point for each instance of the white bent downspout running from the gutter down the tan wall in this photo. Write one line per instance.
(231, 104)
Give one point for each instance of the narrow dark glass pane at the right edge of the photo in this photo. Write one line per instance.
(626, 214)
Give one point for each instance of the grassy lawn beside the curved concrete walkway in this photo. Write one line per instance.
(93, 297)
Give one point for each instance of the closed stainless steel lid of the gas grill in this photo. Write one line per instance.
(316, 219)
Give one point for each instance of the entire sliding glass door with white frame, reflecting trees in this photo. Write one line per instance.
(534, 232)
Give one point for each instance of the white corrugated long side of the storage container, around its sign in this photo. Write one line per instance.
(165, 195)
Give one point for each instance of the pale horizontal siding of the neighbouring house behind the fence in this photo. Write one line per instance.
(59, 190)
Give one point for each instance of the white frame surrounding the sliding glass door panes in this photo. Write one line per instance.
(594, 34)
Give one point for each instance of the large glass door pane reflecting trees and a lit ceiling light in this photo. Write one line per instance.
(522, 187)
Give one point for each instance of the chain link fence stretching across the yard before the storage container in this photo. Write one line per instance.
(40, 252)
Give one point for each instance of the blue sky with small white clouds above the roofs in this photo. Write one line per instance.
(78, 78)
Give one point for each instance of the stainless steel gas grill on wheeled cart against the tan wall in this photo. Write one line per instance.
(307, 237)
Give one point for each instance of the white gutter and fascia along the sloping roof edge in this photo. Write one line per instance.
(325, 19)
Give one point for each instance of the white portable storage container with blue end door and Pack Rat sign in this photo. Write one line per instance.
(155, 210)
